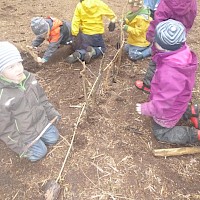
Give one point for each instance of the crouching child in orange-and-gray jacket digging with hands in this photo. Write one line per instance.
(55, 31)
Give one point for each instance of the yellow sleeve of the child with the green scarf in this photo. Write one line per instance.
(140, 27)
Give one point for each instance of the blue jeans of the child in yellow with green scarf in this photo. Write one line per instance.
(136, 53)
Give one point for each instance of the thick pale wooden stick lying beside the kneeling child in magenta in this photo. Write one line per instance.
(176, 151)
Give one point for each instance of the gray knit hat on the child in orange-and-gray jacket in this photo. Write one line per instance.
(39, 25)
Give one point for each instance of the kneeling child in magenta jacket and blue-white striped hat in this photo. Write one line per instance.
(171, 87)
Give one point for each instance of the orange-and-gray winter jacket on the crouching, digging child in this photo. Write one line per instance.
(60, 33)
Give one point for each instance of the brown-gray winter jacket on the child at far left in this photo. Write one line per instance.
(24, 112)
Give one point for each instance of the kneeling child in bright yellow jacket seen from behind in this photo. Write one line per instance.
(88, 29)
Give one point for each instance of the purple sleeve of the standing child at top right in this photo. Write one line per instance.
(161, 14)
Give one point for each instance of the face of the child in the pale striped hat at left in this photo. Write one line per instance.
(14, 73)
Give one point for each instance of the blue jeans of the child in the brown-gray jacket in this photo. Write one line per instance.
(39, 149)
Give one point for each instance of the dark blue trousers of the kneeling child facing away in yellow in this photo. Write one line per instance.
(96, 41)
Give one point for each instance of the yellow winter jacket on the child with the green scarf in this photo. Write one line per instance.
(136, 25)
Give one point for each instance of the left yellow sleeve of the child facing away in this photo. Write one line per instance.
(76, 21)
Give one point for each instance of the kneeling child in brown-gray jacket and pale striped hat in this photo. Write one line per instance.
(24, 108)
